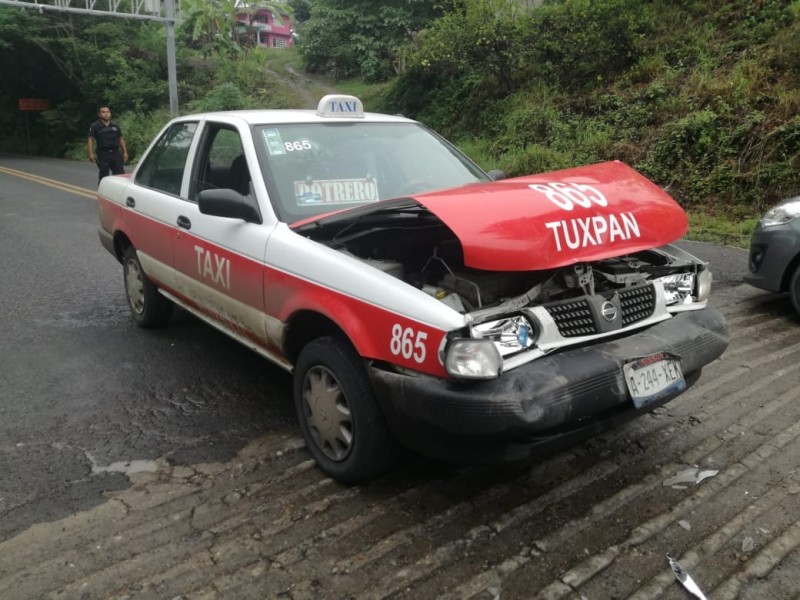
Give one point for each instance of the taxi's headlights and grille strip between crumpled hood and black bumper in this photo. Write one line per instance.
(578, 304)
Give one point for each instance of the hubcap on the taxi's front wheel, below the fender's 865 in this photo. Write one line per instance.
(327, 413)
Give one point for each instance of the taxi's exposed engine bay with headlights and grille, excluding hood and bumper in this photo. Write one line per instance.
(513, 317)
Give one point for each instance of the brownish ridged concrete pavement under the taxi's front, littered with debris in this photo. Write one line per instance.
(712, 479)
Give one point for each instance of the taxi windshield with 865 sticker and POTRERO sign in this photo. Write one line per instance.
(316, 168)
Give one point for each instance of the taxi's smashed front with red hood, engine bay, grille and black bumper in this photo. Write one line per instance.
(578, 312)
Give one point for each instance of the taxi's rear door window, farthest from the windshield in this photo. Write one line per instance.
(163, 167)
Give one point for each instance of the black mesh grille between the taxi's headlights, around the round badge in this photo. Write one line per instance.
(581, 316)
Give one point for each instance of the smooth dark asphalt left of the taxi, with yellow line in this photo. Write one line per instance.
(82, 387)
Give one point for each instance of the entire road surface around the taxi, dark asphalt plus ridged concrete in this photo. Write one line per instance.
(141, 464)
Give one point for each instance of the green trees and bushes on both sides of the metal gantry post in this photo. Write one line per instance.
(78, 62)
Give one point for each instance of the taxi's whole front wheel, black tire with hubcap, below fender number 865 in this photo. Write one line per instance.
(341, 422)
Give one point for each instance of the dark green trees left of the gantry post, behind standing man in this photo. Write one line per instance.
(76, 62)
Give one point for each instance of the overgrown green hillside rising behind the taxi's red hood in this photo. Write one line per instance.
(702, 97)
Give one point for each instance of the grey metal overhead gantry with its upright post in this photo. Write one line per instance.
(152, 10)
